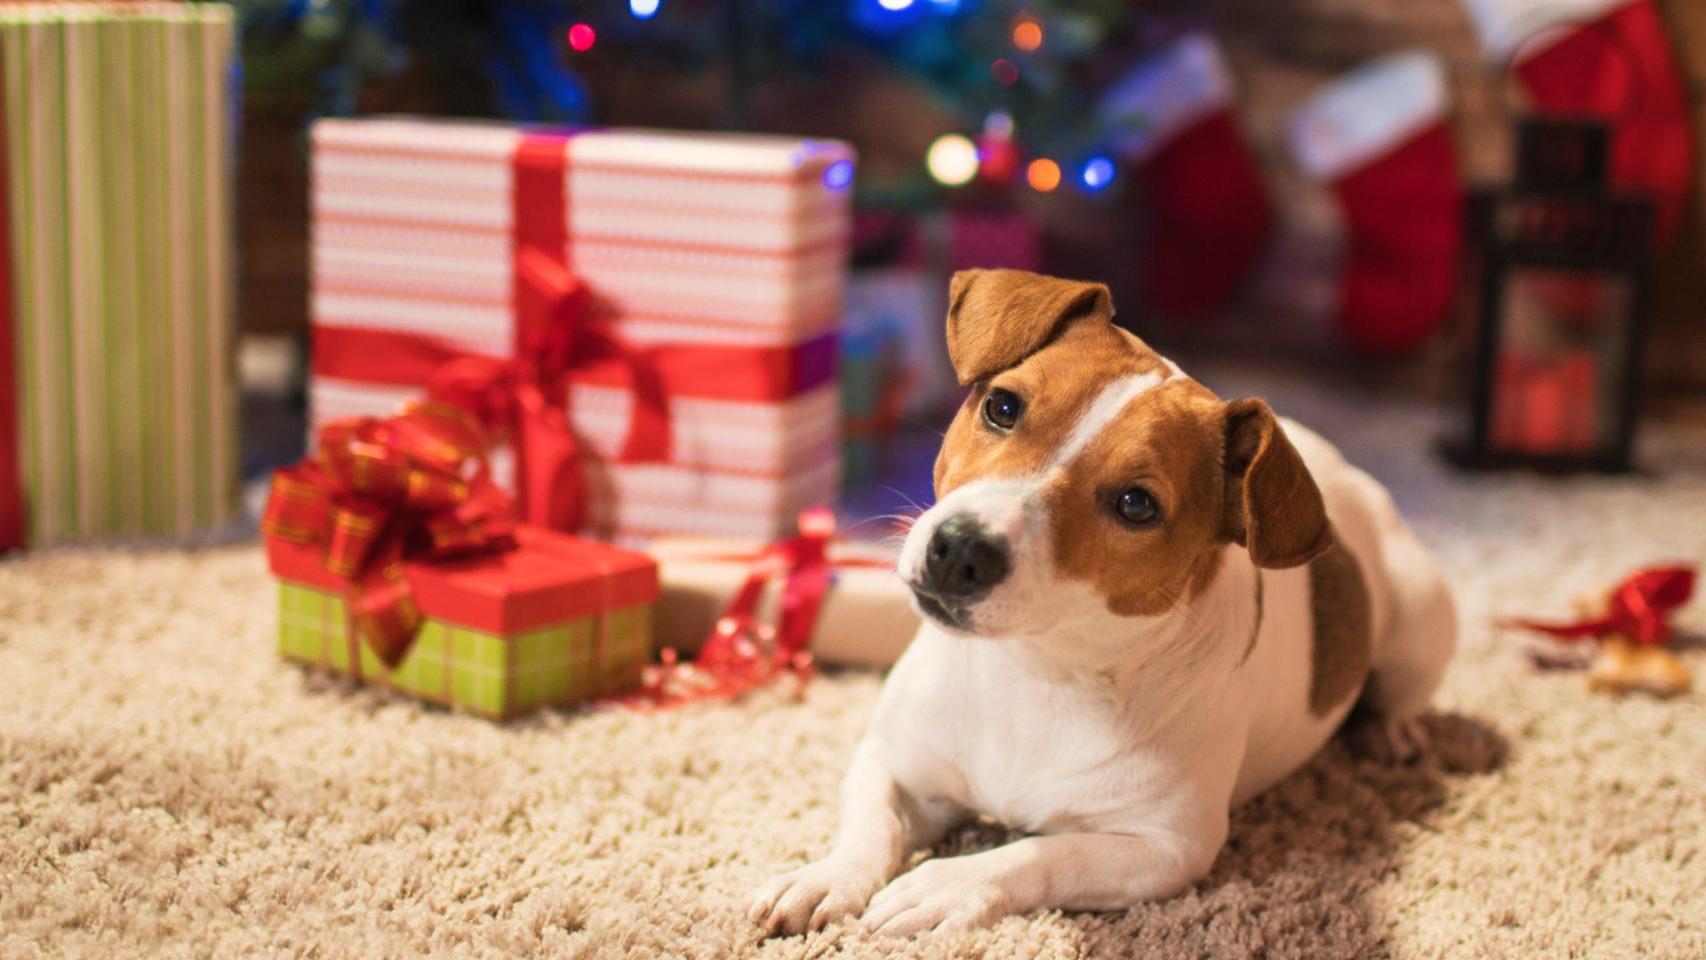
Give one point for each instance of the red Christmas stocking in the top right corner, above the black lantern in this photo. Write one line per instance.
(1604, 59)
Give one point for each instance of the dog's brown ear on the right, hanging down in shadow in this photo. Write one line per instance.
(1274, 506)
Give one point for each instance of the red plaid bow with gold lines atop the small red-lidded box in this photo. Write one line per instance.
(381, 492)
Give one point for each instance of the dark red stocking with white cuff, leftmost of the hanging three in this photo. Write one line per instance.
(1207, 202)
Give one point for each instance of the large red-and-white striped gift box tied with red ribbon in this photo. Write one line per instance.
(716, 260)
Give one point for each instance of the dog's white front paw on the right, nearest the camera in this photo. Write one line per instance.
(949, 896)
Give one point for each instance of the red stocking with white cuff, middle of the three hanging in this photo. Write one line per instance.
(1379, 137)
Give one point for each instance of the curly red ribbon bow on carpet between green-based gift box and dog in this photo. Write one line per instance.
(741, 652)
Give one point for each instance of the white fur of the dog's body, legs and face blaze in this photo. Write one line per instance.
(1120, 743)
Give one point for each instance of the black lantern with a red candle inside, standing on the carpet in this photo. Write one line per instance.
(1557, 299)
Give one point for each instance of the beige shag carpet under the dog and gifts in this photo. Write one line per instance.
(170, 789)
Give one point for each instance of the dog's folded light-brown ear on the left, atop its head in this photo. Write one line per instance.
(997, 318)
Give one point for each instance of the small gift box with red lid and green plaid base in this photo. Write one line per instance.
(511, 620)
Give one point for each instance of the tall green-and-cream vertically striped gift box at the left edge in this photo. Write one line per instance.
(119, 410)
